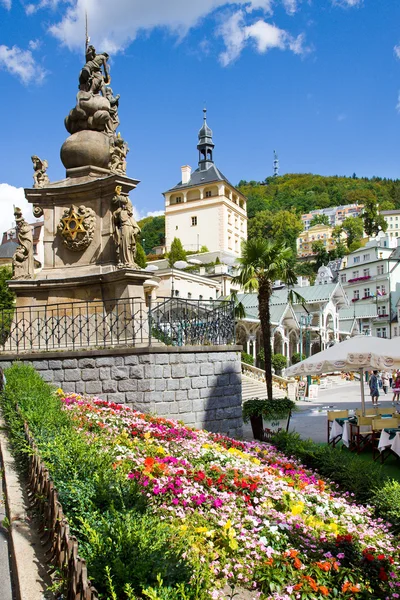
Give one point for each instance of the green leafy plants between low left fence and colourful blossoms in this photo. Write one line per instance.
(124, 544)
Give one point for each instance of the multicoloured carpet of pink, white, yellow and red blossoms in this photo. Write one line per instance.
(252, 517)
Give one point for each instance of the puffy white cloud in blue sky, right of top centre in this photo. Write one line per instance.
(265, 36)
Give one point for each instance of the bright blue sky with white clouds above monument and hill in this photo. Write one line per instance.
(318, 80)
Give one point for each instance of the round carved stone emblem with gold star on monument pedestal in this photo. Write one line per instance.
(77, 227)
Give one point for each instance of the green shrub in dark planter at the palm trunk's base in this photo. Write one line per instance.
(267, 416)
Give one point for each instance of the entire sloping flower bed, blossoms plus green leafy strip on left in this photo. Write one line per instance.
(169, 513)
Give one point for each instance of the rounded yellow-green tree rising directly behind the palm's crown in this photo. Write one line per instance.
(283, 226)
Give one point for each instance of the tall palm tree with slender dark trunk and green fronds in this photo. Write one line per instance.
(262, 263)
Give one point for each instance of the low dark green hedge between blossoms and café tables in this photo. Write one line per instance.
(348, 470)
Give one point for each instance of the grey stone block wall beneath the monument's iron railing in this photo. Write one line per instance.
(200, 386)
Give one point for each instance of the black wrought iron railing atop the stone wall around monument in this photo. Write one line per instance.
(122, 322)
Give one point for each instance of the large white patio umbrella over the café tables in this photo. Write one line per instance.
(355, 354)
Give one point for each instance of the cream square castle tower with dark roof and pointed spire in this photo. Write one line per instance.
(204, 208)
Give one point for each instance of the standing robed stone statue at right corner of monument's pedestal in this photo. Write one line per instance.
(125, 230)
